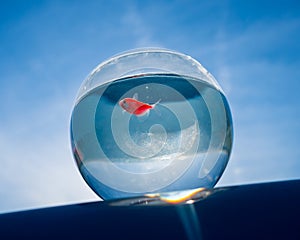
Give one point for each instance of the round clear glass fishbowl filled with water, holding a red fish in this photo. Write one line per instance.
(150, 121)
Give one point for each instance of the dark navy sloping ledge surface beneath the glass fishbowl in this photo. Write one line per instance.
(257, 211)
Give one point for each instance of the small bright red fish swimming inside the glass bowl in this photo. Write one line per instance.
(138, 108)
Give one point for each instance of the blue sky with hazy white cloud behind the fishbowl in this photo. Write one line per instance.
(47, 48)
